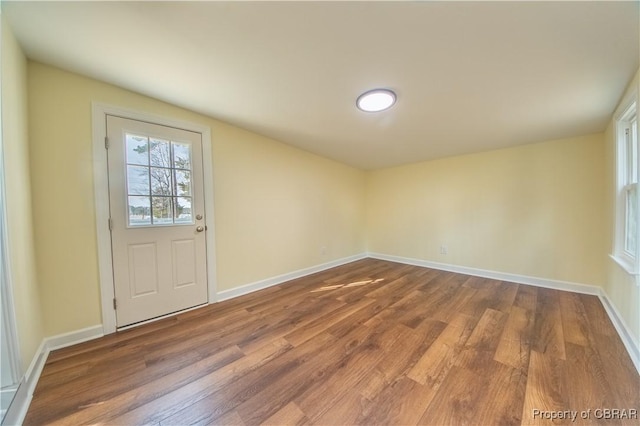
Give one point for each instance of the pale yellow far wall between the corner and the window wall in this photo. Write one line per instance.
(533, 210)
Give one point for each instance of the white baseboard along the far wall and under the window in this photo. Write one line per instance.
(623, 330)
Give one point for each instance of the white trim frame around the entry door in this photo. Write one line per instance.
(101, 199)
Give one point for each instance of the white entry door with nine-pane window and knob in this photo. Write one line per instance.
(157, 219)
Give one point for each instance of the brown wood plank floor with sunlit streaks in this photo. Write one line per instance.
(371, 342)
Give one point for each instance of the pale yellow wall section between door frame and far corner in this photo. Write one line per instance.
(277, 207)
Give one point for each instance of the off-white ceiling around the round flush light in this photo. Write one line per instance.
(469, 76)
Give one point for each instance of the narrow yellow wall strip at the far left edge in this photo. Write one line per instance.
(18, 200)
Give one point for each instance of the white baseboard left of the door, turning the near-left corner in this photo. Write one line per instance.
(21, 401)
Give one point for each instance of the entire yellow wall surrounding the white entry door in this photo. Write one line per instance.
(275, 205)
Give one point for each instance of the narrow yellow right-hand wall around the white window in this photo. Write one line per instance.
(619, 285)
